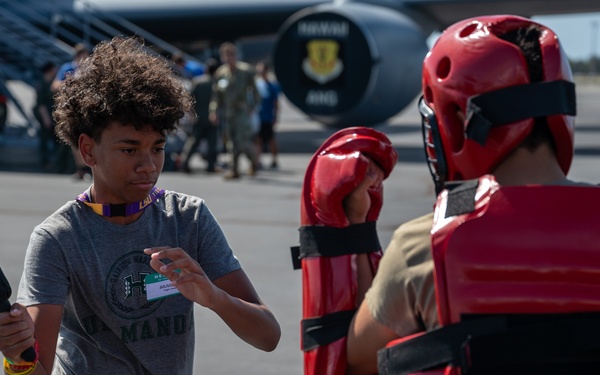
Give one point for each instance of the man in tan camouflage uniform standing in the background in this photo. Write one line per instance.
(235, 95)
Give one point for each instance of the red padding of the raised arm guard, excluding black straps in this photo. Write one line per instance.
(329, 283)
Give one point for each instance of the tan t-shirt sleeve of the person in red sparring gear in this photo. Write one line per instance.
(402, 296)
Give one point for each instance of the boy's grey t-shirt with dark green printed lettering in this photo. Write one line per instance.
(96, 270)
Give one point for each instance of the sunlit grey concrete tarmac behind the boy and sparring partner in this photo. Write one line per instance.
(261, 217)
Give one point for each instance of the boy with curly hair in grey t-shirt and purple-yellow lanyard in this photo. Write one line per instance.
(111, 278)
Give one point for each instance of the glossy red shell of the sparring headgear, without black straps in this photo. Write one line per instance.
(469, 59)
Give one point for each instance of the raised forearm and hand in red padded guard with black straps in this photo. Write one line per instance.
(337, 236)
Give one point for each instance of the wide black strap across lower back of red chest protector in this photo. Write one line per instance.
(502, 344)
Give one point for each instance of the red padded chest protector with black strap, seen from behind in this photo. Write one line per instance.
(517, 272)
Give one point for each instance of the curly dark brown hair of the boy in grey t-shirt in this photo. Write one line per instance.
(120, 82)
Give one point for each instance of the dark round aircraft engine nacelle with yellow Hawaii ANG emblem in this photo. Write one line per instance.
(350, 65)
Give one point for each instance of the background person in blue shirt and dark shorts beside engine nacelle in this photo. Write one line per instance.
(269, 109)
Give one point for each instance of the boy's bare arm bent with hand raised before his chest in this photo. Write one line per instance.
(231, 296)
